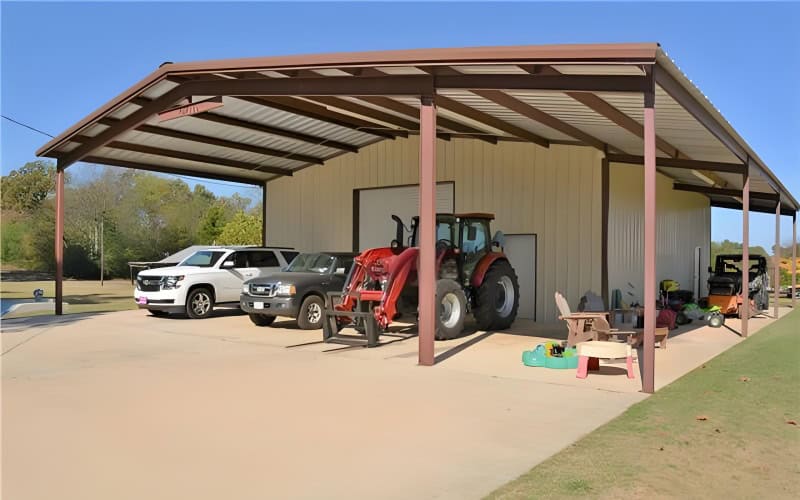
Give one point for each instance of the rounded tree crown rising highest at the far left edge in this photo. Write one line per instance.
(25, 189)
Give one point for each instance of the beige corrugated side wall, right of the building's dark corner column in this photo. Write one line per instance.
(684, 222)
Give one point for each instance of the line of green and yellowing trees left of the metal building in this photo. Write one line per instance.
(142, 216)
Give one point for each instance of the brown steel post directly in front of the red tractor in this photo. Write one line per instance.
(427, 229)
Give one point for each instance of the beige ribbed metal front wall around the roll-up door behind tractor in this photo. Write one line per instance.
(553, 193)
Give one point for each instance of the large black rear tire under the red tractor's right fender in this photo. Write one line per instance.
(497, 298)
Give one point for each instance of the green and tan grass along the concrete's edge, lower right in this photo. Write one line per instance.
(726, 429)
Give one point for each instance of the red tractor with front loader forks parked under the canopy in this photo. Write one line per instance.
(473, 275)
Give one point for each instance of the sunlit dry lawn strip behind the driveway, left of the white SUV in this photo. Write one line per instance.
(81, 295)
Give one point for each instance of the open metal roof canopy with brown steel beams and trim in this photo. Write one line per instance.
(254, 120)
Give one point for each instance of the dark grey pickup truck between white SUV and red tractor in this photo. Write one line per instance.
(297, 292)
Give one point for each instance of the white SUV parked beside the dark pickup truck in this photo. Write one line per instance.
(207, 277)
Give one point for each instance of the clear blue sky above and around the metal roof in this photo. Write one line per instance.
(61, 61)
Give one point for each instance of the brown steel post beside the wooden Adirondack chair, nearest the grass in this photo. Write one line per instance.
(648, 378)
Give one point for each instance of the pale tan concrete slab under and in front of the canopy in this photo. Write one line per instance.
(124, 405)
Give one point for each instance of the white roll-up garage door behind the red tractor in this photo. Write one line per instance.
(376, 206)
